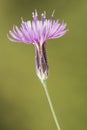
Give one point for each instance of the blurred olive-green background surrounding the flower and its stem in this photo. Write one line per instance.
(23, 104)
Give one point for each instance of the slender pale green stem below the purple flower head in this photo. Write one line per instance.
(50, 104)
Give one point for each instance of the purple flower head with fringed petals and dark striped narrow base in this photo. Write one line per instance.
(37, 32)
